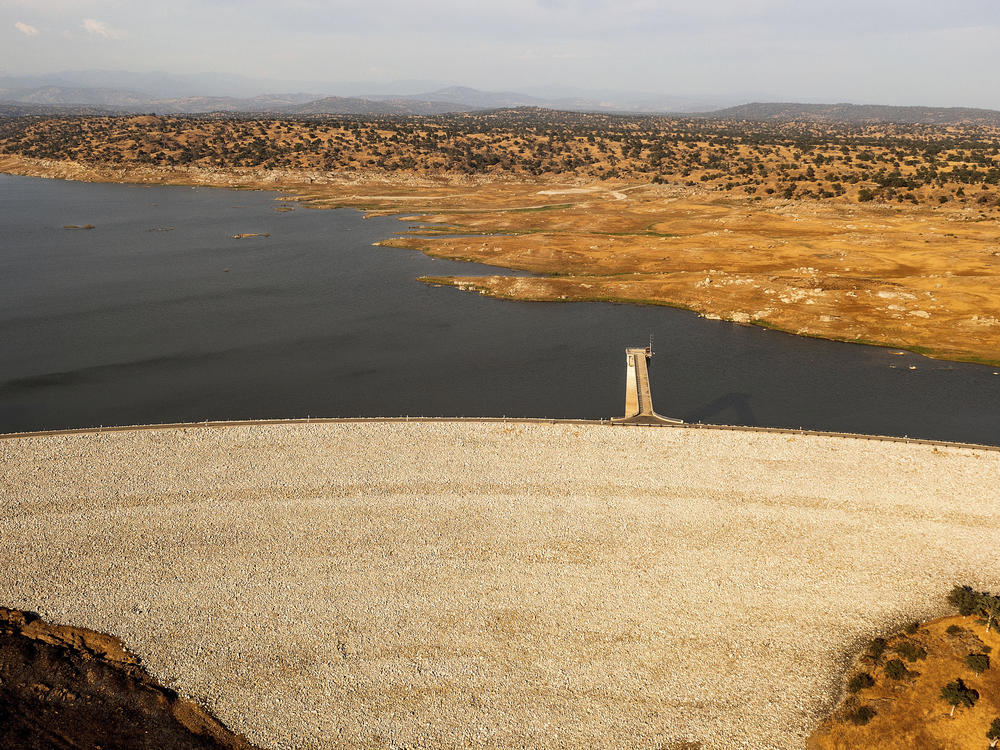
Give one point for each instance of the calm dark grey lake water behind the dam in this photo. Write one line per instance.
(128, 323)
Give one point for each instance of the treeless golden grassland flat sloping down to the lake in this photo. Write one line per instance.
(908, 278)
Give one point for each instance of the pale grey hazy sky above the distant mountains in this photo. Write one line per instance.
(933, 52)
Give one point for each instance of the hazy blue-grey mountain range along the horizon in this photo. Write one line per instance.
(17, 97)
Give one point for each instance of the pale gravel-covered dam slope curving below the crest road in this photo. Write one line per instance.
(494, 585)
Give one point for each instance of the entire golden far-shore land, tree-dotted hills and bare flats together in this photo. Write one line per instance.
(883, 234)
